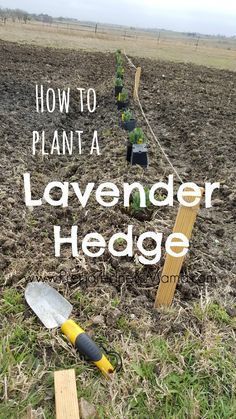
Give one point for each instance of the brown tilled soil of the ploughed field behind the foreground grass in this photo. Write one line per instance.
(192, 110)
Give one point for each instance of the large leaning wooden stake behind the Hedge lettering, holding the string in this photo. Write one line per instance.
(169, 278)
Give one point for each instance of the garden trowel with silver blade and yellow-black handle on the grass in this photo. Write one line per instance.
(54, 310)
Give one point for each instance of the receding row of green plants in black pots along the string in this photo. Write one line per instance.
(136, 144)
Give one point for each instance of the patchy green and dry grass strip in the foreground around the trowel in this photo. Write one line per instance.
(189, 374)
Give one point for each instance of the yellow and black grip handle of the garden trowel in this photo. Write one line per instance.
(86, 347)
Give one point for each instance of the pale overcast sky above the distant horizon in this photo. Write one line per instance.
(205, 16)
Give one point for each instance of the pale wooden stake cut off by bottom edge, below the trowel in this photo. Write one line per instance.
(67, 406)
